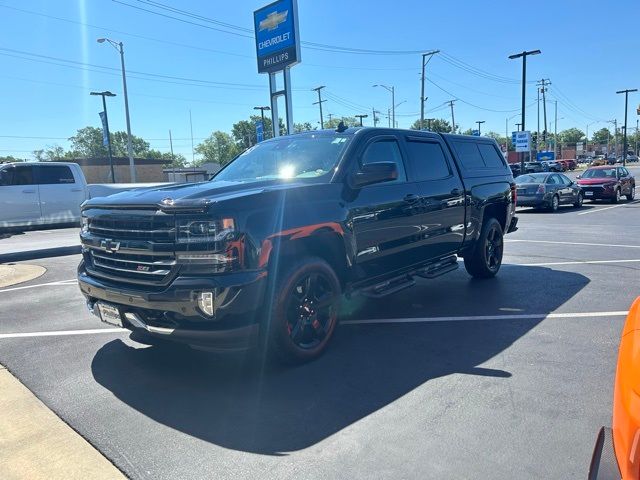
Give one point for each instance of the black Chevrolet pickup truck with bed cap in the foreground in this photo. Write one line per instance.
(261, 254)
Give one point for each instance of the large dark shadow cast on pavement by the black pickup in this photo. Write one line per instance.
(236, 403)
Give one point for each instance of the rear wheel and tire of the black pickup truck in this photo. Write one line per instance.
(485, 259)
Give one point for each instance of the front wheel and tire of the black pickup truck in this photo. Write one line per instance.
(298, 329)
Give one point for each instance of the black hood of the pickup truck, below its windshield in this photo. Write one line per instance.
(186, 196)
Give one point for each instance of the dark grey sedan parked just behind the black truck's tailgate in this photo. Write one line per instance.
(547, 190)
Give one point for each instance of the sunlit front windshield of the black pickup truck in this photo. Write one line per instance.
(303, 156)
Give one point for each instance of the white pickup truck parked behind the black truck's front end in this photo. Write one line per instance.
(48, 193)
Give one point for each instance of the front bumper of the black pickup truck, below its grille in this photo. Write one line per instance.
(173, 313)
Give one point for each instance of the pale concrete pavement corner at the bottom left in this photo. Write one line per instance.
(37, 444)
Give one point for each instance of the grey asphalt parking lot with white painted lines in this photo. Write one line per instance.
(454, 378)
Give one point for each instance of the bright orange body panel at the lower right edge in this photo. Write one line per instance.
(626, 398)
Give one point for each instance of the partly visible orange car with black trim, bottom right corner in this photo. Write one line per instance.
(616, 454)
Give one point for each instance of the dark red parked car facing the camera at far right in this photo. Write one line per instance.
(608, 183)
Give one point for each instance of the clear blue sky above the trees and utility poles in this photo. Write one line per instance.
(49, 65)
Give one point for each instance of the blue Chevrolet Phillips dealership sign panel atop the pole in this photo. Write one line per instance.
(277, 39)
